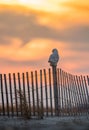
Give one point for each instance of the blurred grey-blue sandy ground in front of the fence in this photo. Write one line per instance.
(48, 123)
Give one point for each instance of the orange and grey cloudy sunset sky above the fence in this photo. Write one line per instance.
(30, 29)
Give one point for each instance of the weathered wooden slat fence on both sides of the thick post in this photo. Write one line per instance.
(33, 93)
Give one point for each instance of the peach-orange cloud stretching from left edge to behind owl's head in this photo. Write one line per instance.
(33, 50)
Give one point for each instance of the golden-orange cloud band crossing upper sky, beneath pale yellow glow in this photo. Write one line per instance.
(72, 13)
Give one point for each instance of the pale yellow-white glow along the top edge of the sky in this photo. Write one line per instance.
(45, 5)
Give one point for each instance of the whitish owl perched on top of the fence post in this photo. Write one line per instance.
(54, 58)
